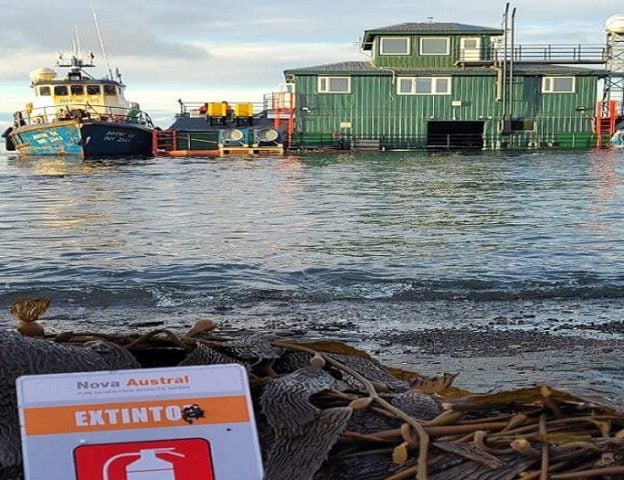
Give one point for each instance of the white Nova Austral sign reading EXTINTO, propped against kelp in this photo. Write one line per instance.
(181, 423)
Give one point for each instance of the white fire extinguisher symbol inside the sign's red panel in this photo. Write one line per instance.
(147, 466)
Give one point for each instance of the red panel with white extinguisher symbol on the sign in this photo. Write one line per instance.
(178, 459)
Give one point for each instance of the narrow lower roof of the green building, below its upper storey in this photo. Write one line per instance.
(366, 68)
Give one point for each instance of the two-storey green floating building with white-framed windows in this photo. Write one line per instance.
(449, 85)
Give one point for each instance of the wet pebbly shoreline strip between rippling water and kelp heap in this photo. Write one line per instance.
(573, 345)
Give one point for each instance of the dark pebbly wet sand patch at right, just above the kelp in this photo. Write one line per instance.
(493, 361)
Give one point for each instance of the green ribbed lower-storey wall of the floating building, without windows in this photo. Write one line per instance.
(374, 109)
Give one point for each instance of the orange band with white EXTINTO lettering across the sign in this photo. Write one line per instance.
(134, 415)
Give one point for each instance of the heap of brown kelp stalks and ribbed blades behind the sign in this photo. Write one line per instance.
(326, 410)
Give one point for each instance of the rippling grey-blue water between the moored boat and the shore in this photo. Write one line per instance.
(356, 244)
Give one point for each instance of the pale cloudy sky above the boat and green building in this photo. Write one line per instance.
(203, 50)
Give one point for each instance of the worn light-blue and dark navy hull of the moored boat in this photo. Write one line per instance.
(85, 139)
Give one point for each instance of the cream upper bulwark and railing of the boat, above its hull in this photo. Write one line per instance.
(82, 112)
